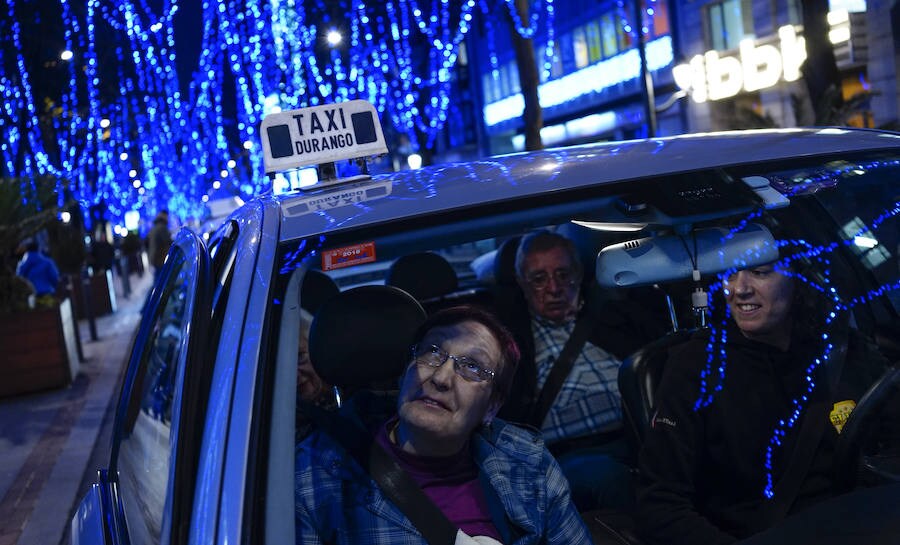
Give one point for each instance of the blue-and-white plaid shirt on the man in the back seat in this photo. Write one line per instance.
(588, 401)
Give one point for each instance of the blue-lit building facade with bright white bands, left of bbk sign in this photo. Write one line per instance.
(590, 86)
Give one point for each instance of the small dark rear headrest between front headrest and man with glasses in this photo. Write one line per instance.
(424, 275)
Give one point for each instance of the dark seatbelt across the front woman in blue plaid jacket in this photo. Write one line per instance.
(393, 480)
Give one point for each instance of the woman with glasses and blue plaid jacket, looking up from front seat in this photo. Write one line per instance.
(495, 482)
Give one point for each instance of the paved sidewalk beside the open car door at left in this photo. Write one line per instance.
(48, 439)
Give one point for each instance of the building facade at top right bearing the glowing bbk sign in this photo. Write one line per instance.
(742, 65)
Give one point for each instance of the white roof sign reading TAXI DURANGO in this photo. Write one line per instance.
(321, 134)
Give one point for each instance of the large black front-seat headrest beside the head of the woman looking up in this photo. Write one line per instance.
(363, 335)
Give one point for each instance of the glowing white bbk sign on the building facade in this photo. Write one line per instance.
(758, 64)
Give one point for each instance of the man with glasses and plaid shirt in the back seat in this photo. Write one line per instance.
(567, 383)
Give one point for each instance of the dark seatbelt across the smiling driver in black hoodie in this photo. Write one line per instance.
(809, 436)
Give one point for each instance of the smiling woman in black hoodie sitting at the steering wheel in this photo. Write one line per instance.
(711, 472)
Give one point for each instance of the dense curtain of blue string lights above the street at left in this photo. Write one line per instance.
(164, 144)
